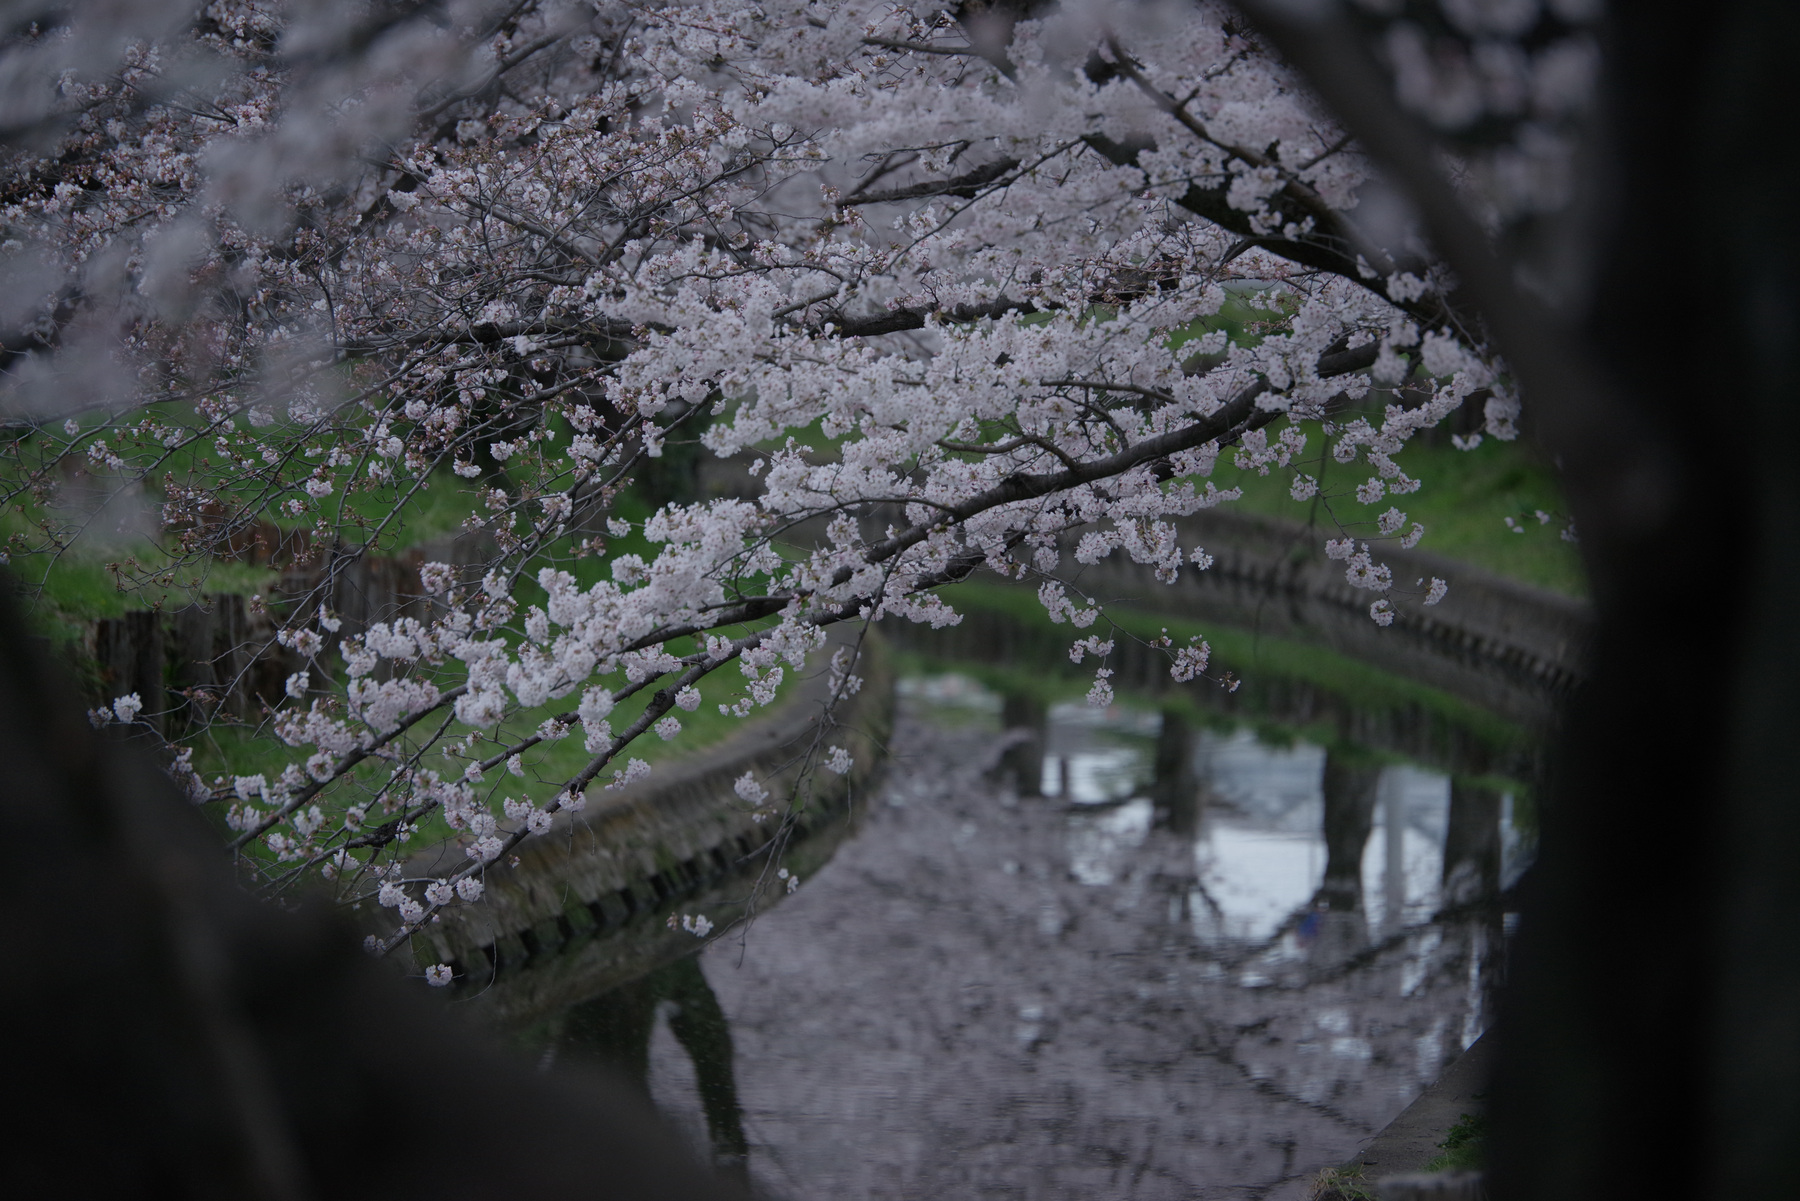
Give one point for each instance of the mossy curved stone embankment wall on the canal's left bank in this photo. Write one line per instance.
(586, 907)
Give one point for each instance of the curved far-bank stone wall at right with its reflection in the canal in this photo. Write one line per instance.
(1497, 647)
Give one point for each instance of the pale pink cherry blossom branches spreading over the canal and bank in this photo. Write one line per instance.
(955, 284)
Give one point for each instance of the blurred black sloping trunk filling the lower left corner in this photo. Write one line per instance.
(174, 1038)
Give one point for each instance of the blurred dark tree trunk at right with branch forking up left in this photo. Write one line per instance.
(1650, 1043)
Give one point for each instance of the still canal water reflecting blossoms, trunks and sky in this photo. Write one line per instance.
(1101, 955)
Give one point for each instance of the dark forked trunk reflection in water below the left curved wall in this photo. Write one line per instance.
(616, 1029)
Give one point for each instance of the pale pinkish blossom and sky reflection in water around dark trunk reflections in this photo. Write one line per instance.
(984, 944)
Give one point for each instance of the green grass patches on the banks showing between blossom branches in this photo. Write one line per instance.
(1464, 507)
